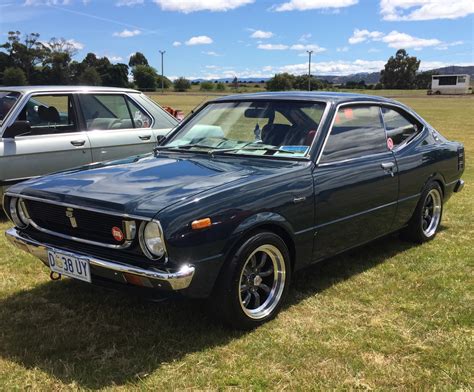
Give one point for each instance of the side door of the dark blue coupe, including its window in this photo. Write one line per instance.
(356, 184)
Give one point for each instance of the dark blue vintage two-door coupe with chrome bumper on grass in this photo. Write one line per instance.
(241, 194)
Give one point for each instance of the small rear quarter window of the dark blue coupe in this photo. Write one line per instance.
(399, 126)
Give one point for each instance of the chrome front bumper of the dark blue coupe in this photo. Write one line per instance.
(167, 280)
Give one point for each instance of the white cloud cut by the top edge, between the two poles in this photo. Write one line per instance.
(188, 6)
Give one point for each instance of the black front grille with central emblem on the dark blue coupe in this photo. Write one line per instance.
(76, 223)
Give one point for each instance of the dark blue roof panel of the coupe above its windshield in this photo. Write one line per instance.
(322, 96)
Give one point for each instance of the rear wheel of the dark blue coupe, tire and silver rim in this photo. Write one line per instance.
(424, 223)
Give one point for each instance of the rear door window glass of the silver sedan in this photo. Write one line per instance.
(112, 111)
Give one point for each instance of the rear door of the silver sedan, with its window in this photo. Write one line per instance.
(116, 125)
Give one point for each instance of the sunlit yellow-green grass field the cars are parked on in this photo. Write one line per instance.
(390, 315)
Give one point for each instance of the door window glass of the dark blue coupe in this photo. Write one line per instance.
(357, 131)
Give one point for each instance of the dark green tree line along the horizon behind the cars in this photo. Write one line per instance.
(27, 60)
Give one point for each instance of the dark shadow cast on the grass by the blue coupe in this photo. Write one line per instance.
(96, 338)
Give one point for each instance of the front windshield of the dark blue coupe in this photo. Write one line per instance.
(275, 128)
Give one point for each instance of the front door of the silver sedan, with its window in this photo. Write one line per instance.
(52, 140)
